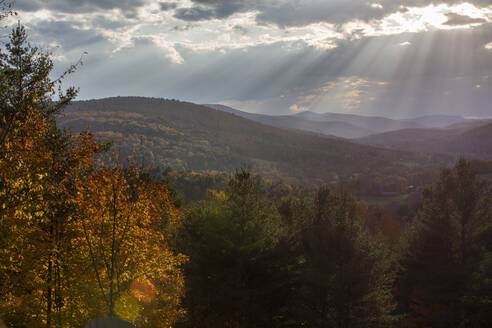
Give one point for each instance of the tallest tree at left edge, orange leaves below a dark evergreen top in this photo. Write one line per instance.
(35, 160)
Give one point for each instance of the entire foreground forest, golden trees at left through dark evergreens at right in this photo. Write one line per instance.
(85, 234)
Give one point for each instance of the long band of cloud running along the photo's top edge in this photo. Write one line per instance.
(282, 13)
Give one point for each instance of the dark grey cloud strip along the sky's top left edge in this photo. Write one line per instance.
(76, 6)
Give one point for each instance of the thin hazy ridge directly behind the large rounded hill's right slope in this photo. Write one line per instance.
(292, 122)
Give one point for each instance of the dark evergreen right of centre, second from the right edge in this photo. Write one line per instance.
(347, 271)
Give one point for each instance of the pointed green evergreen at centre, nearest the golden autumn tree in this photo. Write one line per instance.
(233, 238)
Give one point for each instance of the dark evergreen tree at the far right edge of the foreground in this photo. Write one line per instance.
(445, 257)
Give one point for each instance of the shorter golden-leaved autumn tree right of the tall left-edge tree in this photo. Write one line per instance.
(125, 231)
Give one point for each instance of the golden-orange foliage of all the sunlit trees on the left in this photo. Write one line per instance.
(45, 273)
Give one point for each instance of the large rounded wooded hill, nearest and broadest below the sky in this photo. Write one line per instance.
(185, 135)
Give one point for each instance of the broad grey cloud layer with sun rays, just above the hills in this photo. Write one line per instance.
(372, 76)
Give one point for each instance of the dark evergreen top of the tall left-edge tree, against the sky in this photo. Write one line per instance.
(26, 86)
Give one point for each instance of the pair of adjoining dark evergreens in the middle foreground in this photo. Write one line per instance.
(257, 264)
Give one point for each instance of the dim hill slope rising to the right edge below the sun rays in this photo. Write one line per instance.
(471, 139)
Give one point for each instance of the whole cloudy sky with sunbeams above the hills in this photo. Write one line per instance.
(394, 58)
